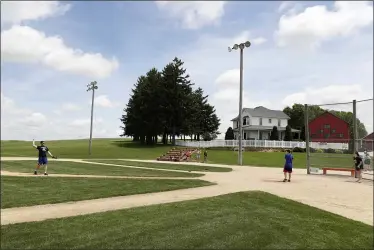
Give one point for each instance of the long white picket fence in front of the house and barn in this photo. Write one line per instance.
(259, 144)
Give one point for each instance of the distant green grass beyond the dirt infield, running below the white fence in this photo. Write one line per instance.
(125, 149)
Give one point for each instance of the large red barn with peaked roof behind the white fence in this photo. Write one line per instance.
(329, 128)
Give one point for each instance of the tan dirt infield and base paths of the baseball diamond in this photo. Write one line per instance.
(336, 194)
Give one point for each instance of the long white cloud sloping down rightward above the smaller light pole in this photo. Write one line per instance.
(25, 44)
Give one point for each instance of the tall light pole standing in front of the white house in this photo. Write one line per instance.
(241, 47)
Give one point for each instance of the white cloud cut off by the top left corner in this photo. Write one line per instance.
(18, 11)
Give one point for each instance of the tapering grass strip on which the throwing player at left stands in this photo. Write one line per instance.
(57, 167)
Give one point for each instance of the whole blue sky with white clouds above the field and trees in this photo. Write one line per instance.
(303, 52)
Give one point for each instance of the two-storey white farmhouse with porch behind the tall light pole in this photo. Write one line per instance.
(259, 122)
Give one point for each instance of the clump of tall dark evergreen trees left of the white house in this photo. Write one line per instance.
(164, 103)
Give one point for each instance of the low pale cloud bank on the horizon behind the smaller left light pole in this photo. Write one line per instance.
(18, 123)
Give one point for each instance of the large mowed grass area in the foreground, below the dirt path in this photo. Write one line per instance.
(247, 220)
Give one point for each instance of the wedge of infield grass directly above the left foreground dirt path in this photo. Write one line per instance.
(26, 191)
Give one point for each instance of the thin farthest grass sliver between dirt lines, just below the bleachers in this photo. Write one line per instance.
(184, 167)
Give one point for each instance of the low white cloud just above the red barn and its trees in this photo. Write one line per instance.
(337, 94)
